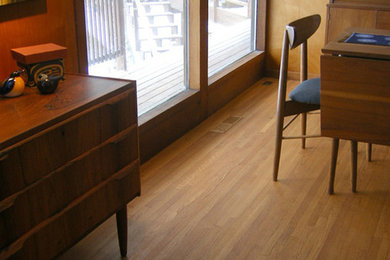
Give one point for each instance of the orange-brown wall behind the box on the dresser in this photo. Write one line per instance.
(37, 22)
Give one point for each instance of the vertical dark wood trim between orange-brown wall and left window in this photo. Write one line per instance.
(81, 41)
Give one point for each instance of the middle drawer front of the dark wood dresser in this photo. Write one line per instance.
(51, 194)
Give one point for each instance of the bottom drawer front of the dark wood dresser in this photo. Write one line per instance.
(75, 221)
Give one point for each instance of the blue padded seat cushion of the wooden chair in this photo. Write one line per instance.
(307, 92)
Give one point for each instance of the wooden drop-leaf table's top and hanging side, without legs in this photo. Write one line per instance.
(355, 89)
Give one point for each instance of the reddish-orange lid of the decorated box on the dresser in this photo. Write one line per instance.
(38, 53)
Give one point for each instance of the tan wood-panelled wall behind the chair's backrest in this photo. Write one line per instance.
(282, 12)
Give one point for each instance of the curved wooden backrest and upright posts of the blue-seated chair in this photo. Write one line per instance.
(295, 34)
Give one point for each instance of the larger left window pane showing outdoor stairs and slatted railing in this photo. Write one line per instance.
(140, 40)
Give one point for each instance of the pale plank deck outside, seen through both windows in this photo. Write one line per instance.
(162, 77)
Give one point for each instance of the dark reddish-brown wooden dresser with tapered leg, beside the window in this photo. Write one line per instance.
(68, 161)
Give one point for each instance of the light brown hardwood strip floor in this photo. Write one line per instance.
(210, 195)
